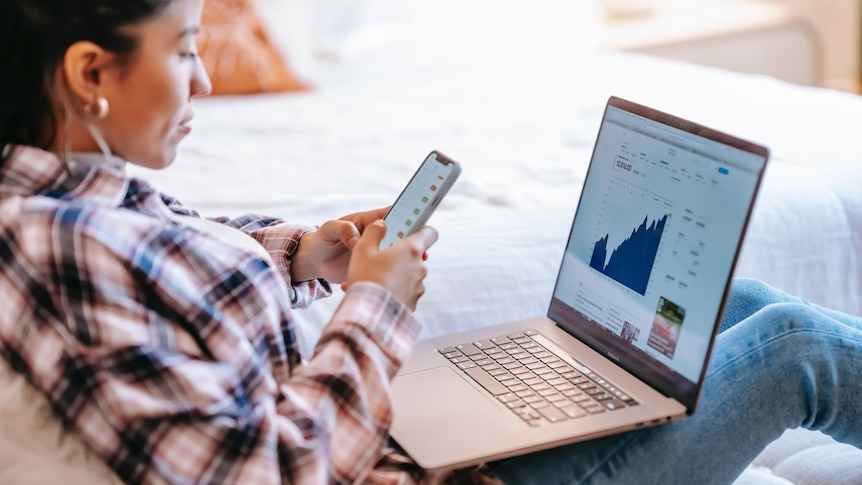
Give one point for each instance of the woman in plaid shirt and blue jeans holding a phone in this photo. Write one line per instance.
(166, 340)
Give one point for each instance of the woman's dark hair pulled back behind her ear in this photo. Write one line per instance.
(34, 37)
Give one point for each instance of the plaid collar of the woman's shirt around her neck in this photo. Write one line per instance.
(84, 177)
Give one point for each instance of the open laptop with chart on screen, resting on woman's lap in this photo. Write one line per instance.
(634, 313)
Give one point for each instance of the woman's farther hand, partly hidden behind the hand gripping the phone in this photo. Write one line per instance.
(325, 253)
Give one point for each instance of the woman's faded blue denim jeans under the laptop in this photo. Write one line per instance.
(780, 362)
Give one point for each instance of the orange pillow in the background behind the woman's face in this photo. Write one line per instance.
(237, 54)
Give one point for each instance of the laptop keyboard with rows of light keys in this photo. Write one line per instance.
(536, 384)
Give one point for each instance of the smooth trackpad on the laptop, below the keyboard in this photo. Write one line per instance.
(429, 396)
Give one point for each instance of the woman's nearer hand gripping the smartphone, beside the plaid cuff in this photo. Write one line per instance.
(400, 268)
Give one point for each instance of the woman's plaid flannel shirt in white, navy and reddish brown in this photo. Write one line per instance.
(172, 354)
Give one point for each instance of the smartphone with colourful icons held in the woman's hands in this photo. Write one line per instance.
(420, 197)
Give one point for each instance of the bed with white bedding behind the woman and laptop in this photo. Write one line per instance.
(521, 115)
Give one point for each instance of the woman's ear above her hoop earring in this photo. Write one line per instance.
(83, 66)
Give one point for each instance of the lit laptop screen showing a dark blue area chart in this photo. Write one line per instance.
(653, 244)
